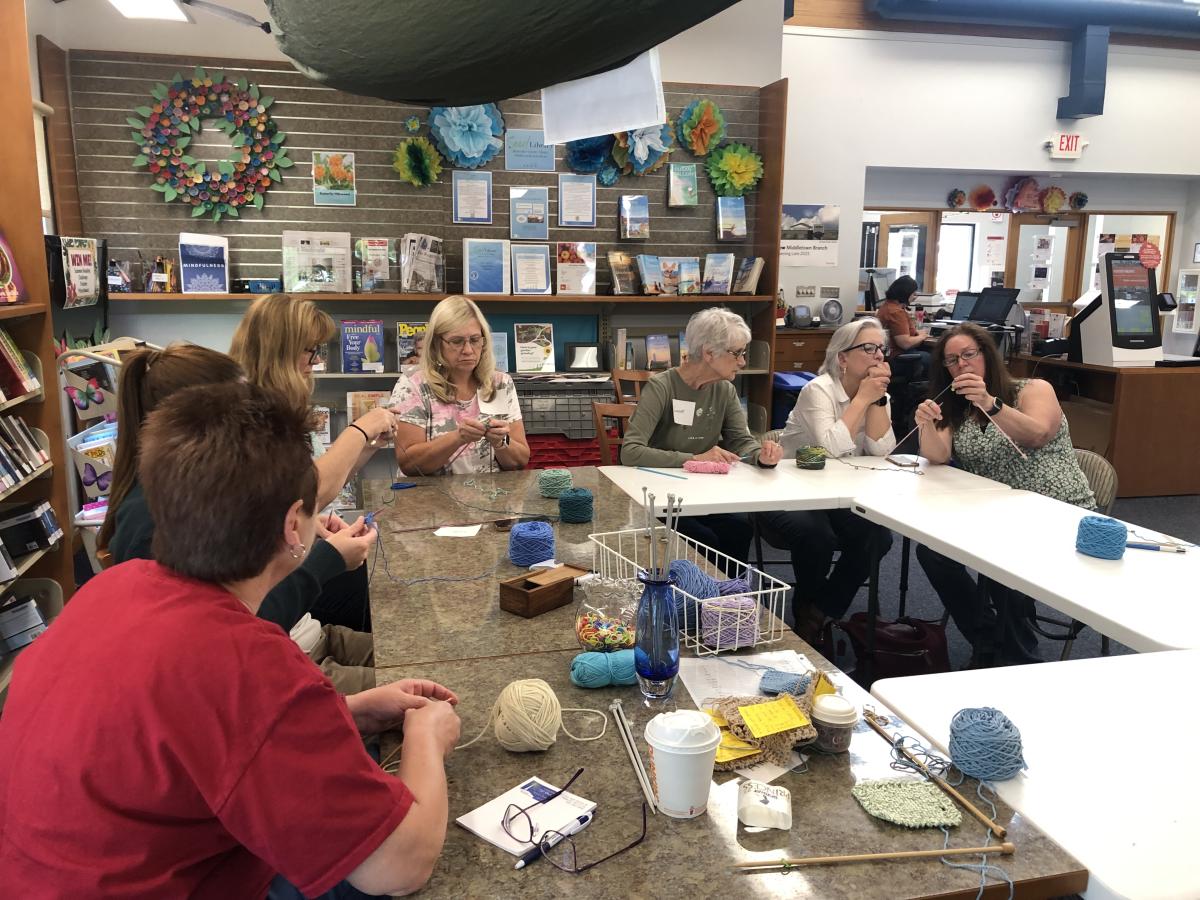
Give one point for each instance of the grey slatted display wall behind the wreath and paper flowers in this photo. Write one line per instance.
(119, 206)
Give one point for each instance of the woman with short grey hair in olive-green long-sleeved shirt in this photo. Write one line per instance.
(693, 412)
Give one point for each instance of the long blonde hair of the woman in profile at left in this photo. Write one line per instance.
(275, 331)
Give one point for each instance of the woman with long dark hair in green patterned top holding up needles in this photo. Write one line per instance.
(979, 422)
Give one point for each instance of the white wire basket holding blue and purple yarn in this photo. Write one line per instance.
(723, 604)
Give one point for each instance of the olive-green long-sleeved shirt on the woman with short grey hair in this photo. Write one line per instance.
(655, 436)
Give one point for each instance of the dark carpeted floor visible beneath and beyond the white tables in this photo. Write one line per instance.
(1179, 517)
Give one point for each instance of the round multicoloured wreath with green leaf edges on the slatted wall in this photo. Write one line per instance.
(164, 133)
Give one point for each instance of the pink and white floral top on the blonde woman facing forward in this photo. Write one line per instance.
(416, 405)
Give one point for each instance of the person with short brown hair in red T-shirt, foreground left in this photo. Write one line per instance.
(161, 741)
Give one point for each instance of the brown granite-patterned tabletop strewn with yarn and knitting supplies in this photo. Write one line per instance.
(457, 635)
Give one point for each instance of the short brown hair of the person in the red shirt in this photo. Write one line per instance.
(221, 466)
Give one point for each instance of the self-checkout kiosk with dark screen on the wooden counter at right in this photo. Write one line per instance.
(1121, 326)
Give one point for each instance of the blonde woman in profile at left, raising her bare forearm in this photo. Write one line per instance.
(277, 344)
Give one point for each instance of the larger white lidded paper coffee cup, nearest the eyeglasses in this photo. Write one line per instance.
(683, 749)
